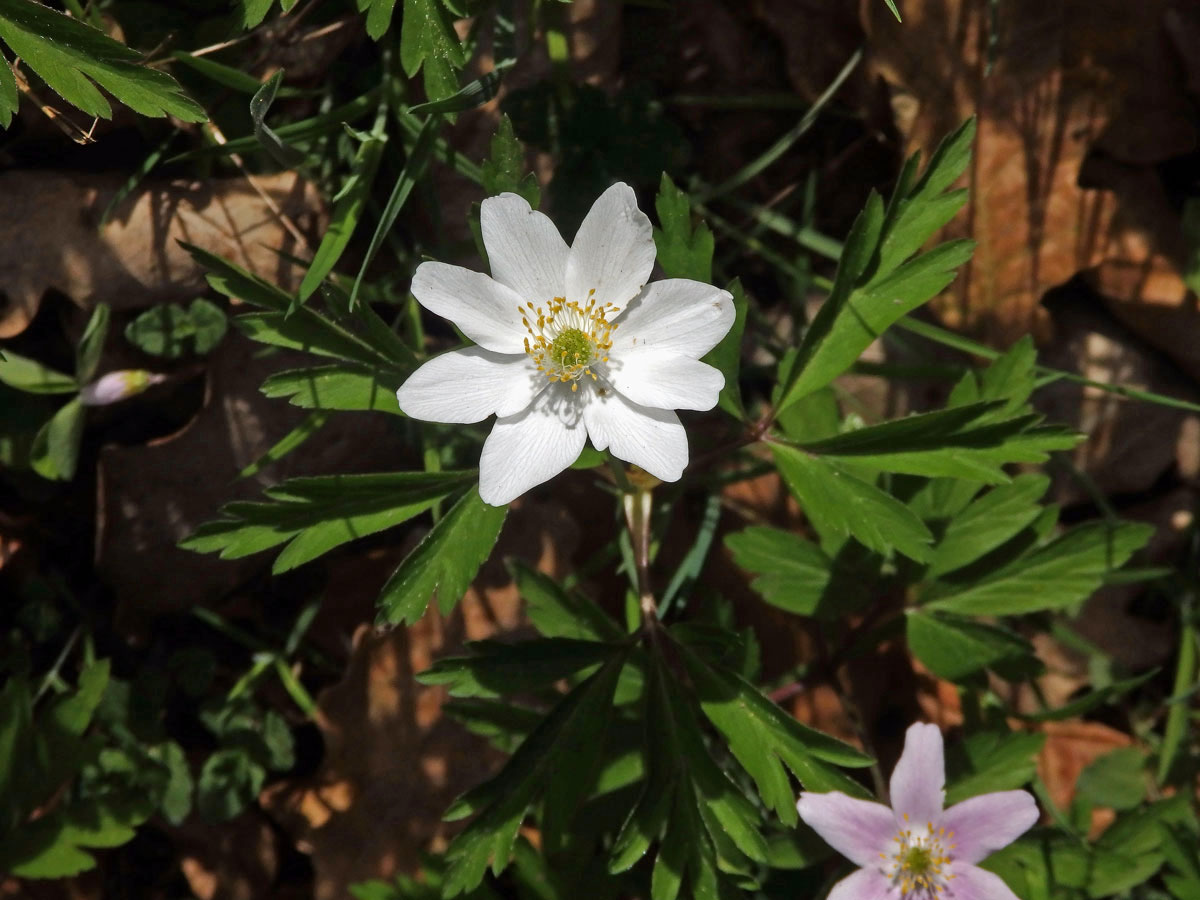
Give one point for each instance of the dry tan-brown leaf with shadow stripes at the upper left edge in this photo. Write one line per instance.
(50, 238)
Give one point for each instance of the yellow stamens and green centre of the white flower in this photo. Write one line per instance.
(567, 339)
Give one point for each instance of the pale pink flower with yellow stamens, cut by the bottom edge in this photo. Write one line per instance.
(916, 850)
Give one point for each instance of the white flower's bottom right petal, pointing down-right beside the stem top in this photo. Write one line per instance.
(651, 439)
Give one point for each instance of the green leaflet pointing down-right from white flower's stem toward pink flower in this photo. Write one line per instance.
(765, 739)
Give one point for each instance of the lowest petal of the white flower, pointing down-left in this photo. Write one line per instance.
(533, 447)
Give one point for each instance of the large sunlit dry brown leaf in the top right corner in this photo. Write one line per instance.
(1070, 81)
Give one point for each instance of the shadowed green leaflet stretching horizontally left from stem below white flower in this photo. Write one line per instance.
(497, 669)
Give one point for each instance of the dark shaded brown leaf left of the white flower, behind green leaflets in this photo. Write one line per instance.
(152, 497)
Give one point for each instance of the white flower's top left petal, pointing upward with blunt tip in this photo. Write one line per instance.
(526, 251)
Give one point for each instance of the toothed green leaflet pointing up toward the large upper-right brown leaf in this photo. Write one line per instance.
(874, 286)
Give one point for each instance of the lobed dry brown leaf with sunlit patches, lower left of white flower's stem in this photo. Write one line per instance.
(393, 763)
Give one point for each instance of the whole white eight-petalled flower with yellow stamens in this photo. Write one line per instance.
(572, 344)
